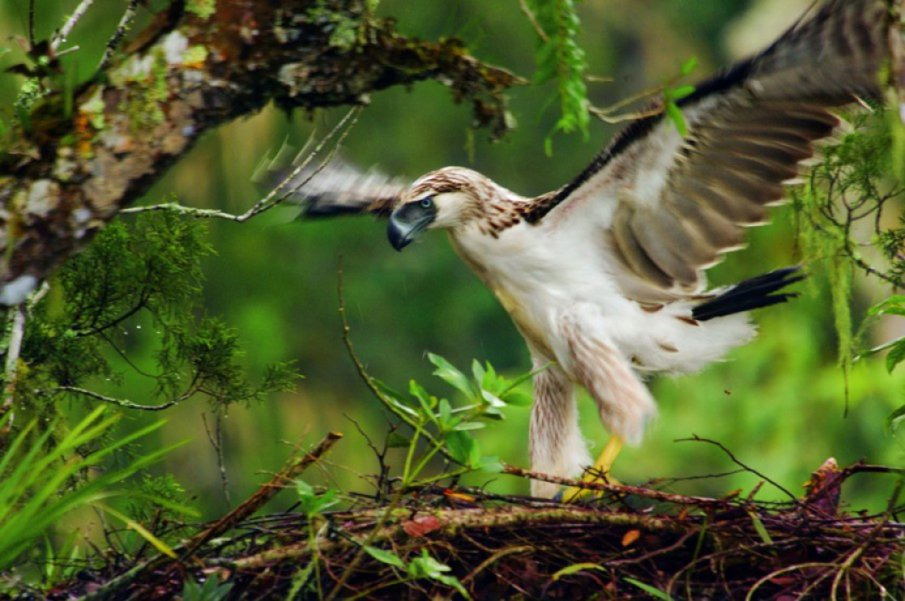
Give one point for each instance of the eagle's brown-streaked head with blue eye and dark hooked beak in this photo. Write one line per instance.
(449, 198)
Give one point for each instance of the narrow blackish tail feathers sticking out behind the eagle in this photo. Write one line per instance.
(760, 291)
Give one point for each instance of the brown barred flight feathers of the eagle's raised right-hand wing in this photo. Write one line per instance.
(749, 129)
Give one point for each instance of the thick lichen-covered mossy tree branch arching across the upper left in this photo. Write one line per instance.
(79, 158)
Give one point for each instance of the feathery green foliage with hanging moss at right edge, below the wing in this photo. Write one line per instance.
(841, 212)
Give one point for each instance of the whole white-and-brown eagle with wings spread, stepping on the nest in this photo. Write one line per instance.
(604, 276)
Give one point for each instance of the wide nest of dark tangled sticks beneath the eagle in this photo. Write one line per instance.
(618, 542)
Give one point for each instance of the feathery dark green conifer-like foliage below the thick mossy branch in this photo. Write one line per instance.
(137, 284)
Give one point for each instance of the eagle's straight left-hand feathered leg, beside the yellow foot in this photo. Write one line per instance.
(555, 441)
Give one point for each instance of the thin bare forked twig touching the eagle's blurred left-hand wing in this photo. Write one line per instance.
(278, 194)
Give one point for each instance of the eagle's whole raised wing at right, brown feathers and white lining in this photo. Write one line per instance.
(670, 206)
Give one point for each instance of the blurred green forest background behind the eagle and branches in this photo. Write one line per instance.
(778, 403)
